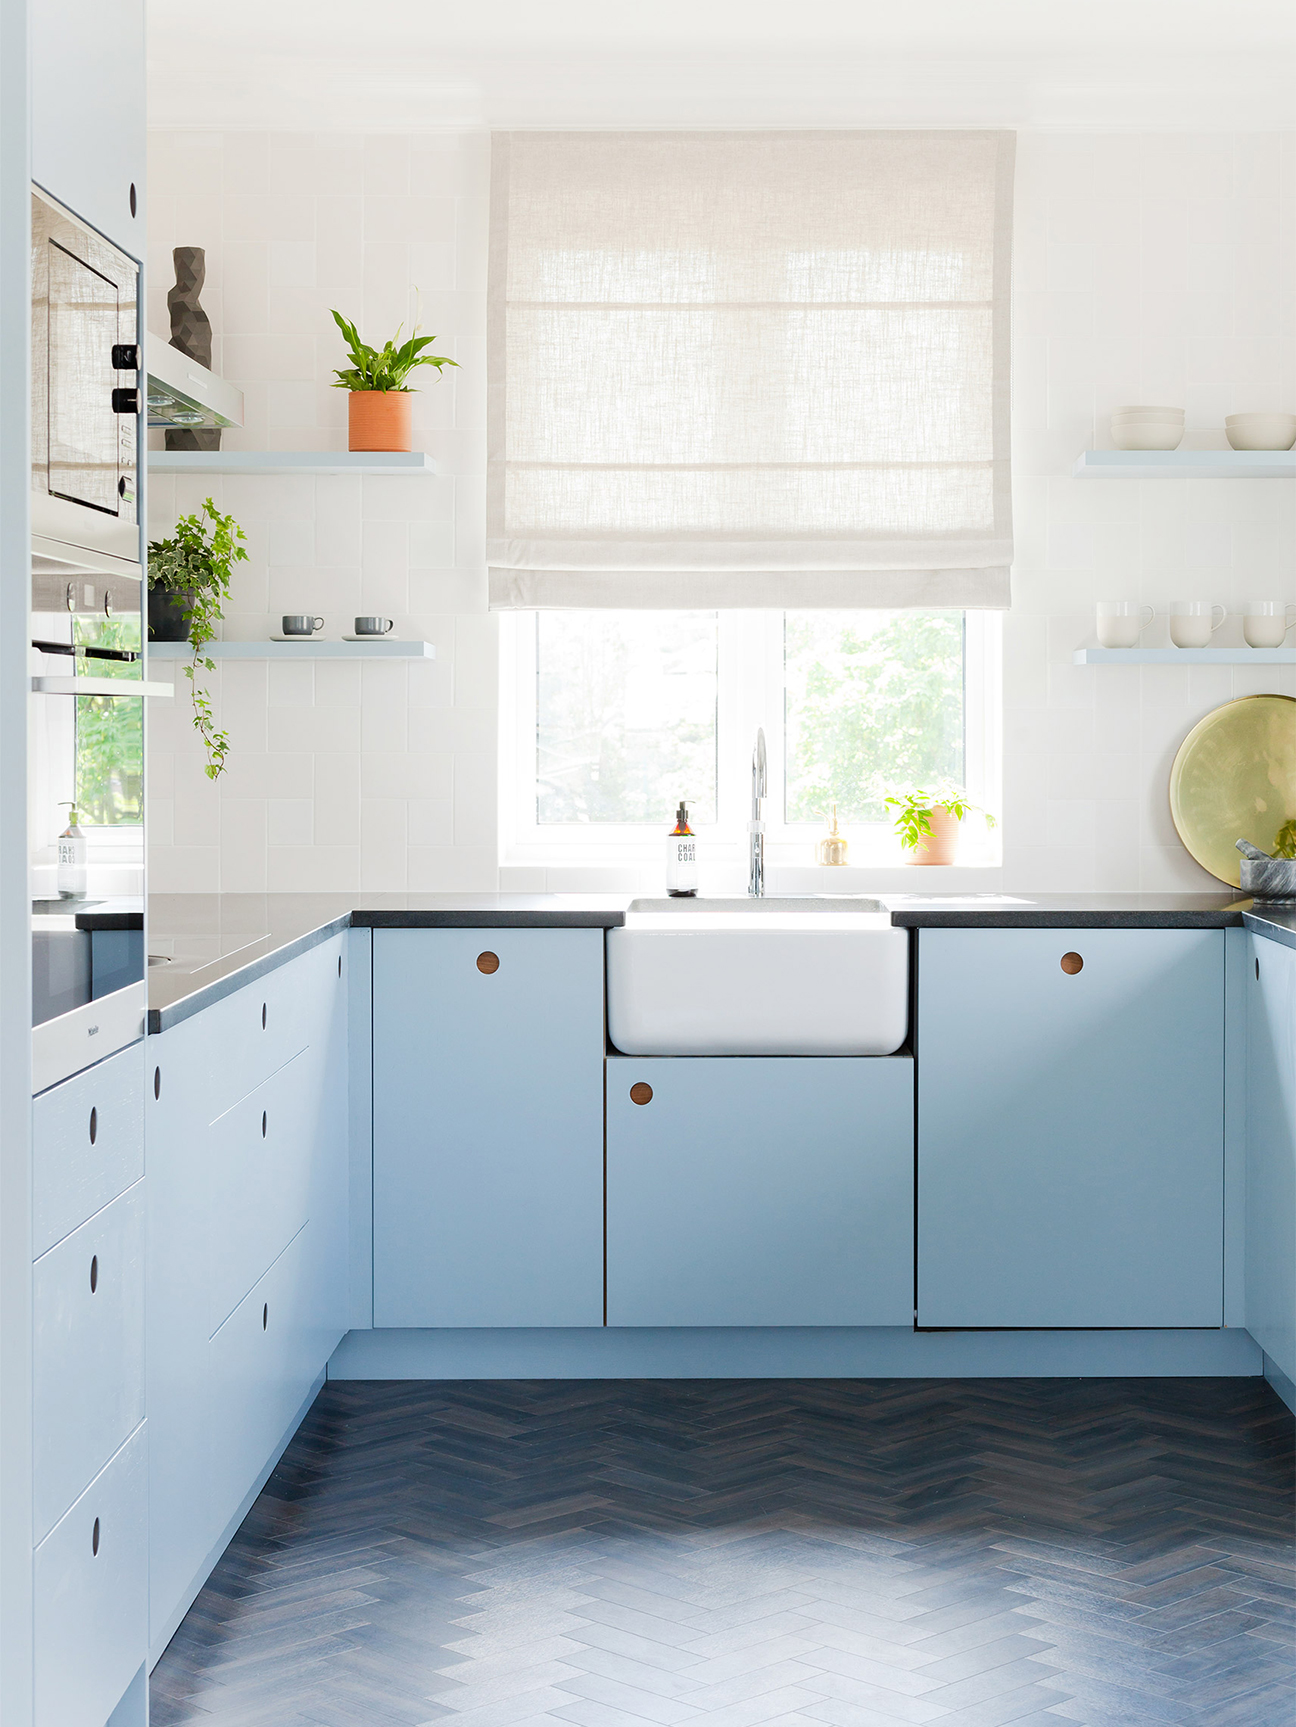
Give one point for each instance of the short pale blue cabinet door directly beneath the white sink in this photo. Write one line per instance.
(761, 1191)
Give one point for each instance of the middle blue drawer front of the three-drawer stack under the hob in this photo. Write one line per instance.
(260, 1179)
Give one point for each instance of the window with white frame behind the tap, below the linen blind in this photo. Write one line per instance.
(609, 719)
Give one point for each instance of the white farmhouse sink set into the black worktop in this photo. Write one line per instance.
(758, 978)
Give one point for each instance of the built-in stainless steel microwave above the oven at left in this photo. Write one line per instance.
(86, 396)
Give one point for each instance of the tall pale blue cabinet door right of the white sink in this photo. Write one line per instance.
(1070, 1129)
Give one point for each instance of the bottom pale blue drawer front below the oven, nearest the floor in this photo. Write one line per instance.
(91, 1586)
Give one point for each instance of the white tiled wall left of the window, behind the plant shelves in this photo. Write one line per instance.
(340, 775)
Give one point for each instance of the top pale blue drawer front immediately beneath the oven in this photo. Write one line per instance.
(87, 1146)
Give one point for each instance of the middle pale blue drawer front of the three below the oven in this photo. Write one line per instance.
(87, 1370)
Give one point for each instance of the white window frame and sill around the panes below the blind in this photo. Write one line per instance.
(751, 695)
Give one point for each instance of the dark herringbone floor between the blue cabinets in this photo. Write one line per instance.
(778, 1553)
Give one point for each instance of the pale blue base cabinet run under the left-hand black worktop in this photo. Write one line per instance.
(246, 1134)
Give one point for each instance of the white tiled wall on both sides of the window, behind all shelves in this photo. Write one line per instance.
(1153, 269)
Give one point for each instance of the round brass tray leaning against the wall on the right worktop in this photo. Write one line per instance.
(1235, 778)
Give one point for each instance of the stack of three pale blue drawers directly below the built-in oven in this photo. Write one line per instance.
(89, 1514)
